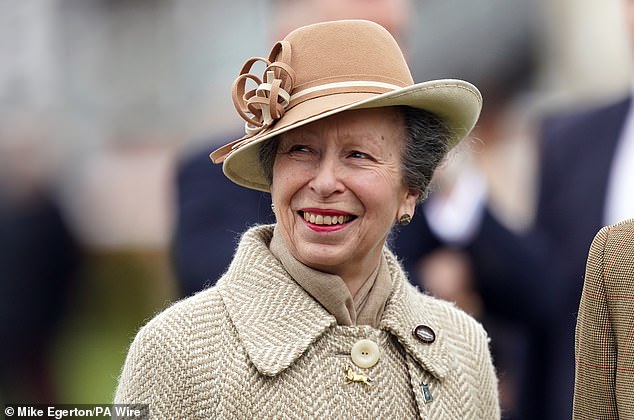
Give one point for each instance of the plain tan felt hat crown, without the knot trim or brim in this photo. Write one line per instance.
(346, 51)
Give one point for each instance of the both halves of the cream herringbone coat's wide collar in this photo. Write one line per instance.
(276, 320)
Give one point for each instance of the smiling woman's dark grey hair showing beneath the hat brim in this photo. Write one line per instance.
(425, 146)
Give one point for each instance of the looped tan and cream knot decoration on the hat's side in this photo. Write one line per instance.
(261, 106)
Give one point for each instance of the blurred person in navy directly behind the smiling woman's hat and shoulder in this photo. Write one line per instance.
(208, 221)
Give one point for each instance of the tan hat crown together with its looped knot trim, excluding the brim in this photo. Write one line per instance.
(320, 60)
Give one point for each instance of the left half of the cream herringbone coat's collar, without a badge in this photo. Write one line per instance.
(275, 319)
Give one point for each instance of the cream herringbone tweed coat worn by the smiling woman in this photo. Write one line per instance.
(256, 345)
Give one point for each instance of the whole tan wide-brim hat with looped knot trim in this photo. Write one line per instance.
(327, 68)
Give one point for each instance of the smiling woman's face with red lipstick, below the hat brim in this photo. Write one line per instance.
(337, 189)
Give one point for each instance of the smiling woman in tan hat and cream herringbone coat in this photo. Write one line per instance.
(315, 318)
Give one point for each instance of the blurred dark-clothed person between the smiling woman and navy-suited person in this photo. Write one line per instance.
(433, 251)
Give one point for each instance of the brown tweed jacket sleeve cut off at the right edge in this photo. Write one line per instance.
(604, 344)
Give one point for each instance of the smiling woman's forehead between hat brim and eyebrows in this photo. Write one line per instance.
(383, 123)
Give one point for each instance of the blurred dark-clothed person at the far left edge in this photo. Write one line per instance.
(39, 259)
